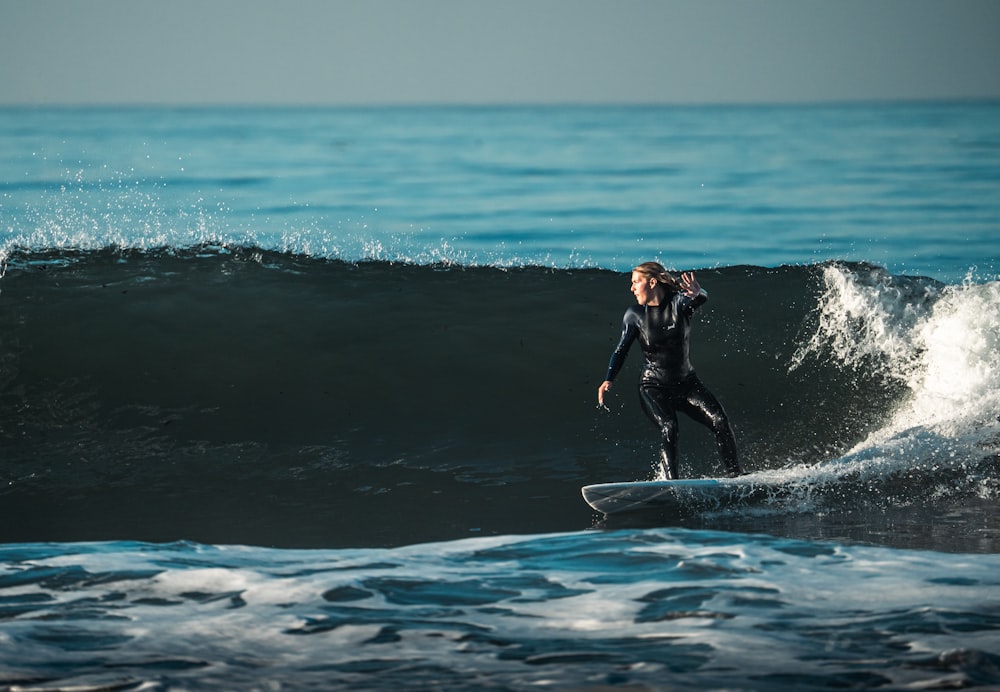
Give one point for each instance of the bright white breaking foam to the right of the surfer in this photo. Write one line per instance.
(941, 342)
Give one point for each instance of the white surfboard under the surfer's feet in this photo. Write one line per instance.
(696, 494)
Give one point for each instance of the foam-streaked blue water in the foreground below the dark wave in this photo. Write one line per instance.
(685, 609)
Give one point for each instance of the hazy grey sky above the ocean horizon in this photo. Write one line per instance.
(360, 52)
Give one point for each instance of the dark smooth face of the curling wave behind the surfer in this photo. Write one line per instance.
(259, 398)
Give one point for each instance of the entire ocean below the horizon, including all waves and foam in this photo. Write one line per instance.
(303, 398)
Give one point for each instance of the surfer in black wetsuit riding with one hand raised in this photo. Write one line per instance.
(662, 322)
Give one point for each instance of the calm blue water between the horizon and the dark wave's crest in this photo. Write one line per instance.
(913, 188)
